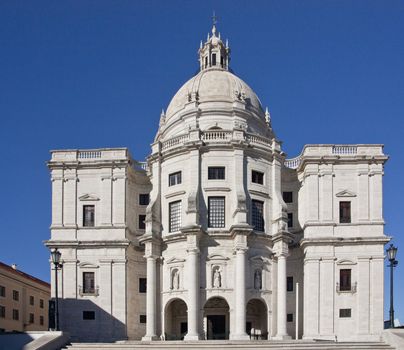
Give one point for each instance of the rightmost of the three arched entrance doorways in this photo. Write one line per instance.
(257, 319)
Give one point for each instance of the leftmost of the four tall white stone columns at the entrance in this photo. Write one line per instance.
(151, 301)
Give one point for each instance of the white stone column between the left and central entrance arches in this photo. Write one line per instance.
(193, 294)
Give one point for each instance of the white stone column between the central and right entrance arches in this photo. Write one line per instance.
(240, 302)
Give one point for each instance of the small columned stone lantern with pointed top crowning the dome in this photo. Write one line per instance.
(214, 53)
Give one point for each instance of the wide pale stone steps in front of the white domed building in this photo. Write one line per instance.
(229, 344)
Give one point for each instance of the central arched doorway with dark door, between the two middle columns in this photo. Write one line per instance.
(216, 318)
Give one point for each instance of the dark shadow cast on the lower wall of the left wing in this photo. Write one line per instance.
(87, 322)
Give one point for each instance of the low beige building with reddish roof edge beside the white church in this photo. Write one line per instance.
(24, 301)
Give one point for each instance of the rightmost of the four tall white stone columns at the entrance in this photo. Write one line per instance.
(281, 317)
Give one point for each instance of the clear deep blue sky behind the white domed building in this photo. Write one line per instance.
(86, 74)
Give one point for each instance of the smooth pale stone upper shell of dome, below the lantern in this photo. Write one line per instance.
(215, 85)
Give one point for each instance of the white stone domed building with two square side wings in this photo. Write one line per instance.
(221, 227)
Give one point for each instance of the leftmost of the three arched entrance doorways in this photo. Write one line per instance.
(175, 325)
